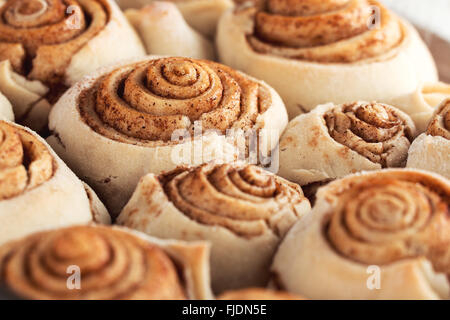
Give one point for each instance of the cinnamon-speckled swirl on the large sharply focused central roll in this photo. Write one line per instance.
(148, 101)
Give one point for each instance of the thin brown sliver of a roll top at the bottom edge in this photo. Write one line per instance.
(258, 294)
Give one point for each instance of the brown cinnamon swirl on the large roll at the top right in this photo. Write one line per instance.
(331, 31)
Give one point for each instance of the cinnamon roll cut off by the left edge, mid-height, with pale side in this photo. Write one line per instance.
(37, 190)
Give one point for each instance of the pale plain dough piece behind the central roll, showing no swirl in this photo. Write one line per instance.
(164, 31)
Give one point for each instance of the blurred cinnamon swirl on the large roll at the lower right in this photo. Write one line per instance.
(387, 216)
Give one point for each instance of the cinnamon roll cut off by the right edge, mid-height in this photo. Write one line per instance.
(431, 150)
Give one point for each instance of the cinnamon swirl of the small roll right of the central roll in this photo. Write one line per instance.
(374, 130)
